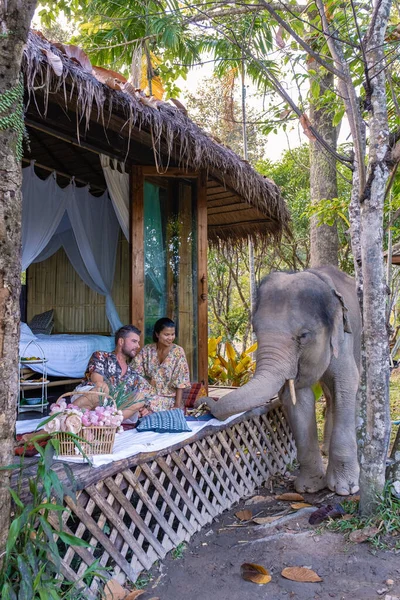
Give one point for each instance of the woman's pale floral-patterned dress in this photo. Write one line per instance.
(165, 378)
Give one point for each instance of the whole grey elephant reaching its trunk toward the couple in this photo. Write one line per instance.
(308, 328)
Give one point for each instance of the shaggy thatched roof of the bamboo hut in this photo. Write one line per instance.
(242, 201)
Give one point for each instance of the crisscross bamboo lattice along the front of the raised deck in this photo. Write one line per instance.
(139, 510)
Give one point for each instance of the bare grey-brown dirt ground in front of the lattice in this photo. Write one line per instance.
(209, 565)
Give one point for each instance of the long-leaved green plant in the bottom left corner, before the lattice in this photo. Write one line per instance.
(36, 541)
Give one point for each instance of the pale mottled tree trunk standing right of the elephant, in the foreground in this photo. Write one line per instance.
(377, 425)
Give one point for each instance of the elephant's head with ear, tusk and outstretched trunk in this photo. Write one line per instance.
(300, 322)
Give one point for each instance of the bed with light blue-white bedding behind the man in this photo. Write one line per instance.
(67, 355)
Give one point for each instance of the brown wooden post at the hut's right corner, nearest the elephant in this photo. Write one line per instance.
(202, 245)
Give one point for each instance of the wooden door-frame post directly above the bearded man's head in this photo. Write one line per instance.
(137, 249)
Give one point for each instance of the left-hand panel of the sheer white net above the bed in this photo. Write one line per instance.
(43, 206)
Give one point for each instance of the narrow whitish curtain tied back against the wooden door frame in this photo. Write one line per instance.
(118, 188)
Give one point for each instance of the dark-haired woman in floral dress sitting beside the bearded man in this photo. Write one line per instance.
(165, 367)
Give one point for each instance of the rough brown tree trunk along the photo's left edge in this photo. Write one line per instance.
(15, 19)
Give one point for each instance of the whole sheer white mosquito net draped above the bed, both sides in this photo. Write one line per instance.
(84, 224)
